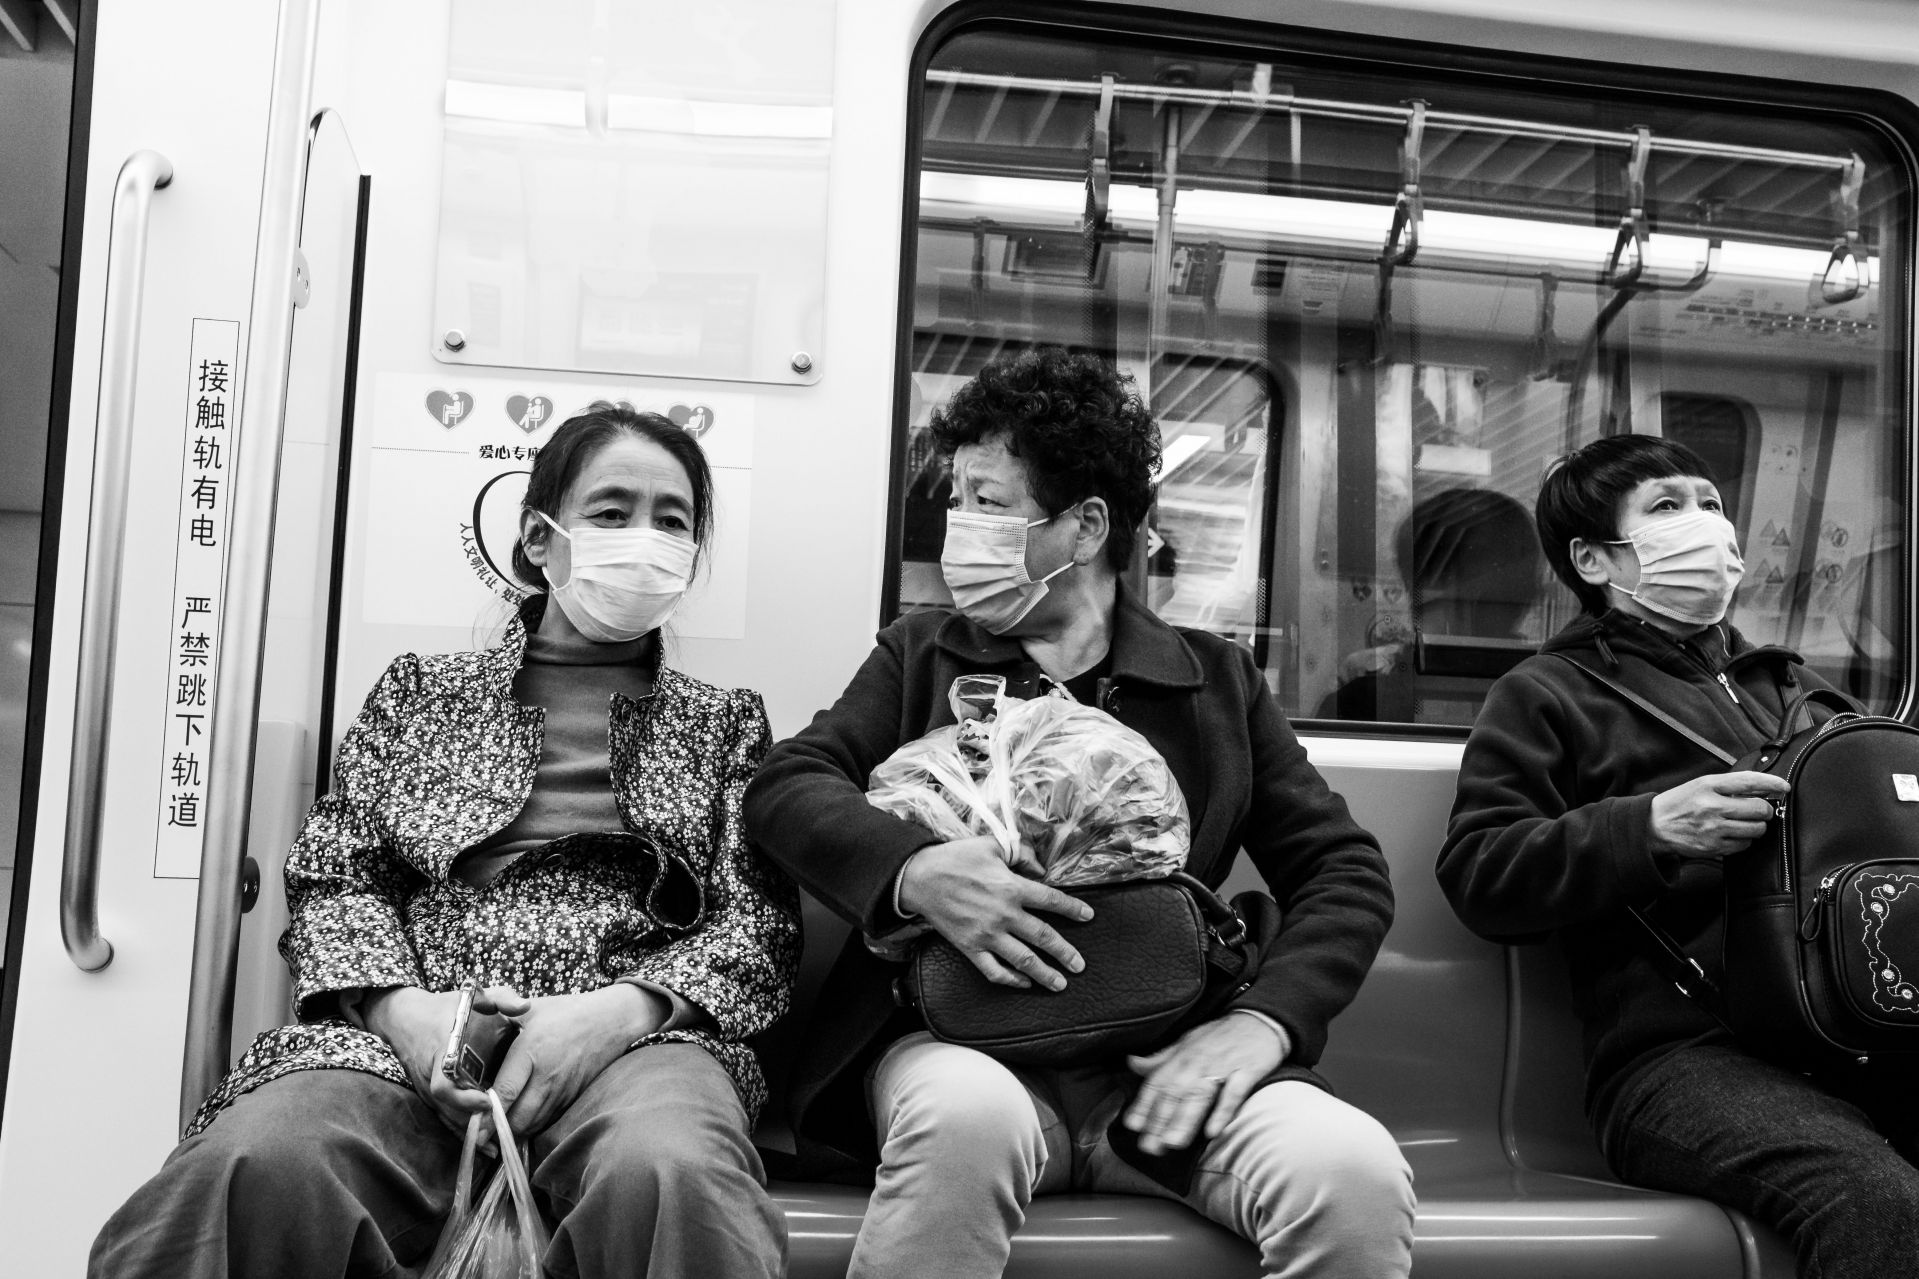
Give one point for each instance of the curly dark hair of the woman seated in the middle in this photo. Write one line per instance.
(1078, 425)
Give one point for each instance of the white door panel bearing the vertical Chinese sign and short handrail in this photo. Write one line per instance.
(172, 128)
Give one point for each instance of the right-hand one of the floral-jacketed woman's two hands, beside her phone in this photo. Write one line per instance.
(565, 1044)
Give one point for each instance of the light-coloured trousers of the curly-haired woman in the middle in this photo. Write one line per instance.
(966, 1144)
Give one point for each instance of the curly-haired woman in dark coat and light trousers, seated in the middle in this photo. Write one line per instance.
(1053, 475)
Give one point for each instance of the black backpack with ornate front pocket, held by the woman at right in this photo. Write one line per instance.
(1822, 911)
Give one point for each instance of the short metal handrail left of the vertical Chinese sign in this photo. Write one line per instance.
(107, 541)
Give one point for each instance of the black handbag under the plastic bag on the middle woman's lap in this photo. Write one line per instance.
(1160, 955)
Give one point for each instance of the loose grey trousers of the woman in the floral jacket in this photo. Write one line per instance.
(335, 1172)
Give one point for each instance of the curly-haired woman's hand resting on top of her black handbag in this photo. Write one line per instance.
(970, 896)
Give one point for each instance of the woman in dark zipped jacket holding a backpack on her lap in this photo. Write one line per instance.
(1578, 809)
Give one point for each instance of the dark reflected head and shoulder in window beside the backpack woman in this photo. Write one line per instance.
(1471, 564)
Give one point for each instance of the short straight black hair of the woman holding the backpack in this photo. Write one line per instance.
(1580, 498)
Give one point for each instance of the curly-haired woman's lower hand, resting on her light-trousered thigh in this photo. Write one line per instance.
(1206, 1074)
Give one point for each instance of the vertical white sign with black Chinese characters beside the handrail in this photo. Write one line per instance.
(199, 575)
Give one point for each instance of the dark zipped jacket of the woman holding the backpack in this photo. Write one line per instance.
(1552, 827)
